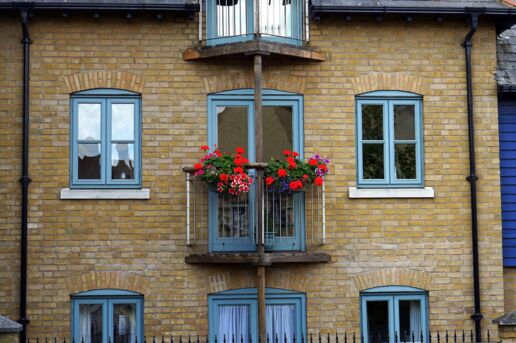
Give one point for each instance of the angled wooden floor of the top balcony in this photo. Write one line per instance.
(250, 47)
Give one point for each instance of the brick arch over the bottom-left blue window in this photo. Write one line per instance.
(107, 279)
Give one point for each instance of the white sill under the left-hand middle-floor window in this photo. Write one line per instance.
(102, 194)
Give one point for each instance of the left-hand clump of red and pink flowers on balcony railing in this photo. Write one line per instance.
(224, 172)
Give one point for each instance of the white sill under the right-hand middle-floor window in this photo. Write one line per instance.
(390, 193)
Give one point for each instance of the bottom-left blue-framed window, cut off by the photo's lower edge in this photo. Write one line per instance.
(107, 315)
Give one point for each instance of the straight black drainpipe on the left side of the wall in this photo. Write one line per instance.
(24, 180)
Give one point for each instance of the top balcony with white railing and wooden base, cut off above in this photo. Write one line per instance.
(254, 26)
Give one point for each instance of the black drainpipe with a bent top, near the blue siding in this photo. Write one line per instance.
(472, 178)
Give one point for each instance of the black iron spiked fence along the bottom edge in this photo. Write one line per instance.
(445, 336)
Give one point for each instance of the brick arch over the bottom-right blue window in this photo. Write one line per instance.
(393, 277)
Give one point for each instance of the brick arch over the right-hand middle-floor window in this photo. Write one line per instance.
(389, 81)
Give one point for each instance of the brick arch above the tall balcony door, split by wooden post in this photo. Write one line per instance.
(244, 79)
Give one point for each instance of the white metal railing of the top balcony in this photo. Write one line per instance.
(284, 21)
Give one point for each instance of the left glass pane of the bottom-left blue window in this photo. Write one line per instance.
(90, 323)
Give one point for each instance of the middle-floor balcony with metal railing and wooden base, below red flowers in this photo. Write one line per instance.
(223, 229)
